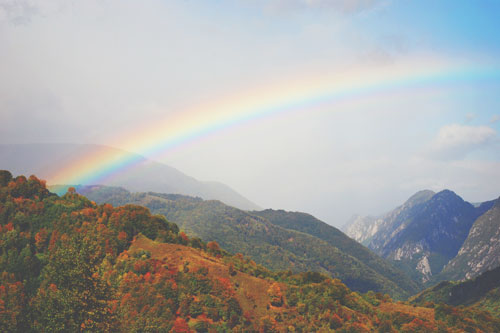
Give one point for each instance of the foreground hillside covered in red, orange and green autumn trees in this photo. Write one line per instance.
(68, 264)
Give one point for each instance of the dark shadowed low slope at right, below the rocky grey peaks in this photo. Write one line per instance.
(483, 292)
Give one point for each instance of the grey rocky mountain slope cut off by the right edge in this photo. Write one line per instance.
(481, 250)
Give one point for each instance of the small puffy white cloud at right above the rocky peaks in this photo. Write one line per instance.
(456, 141)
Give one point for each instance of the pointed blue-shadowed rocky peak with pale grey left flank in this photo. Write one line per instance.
(426, 232)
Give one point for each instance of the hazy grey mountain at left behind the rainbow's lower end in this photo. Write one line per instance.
(146, 175)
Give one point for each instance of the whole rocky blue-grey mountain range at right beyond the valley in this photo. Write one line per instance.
(426, 236)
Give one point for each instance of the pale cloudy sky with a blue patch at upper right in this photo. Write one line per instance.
(349, 127)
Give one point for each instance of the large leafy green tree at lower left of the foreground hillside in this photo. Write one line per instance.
(73, 296)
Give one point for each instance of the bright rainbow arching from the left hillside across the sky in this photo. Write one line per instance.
(300, 95)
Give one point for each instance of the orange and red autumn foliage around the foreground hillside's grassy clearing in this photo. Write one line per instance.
(149, 291)
